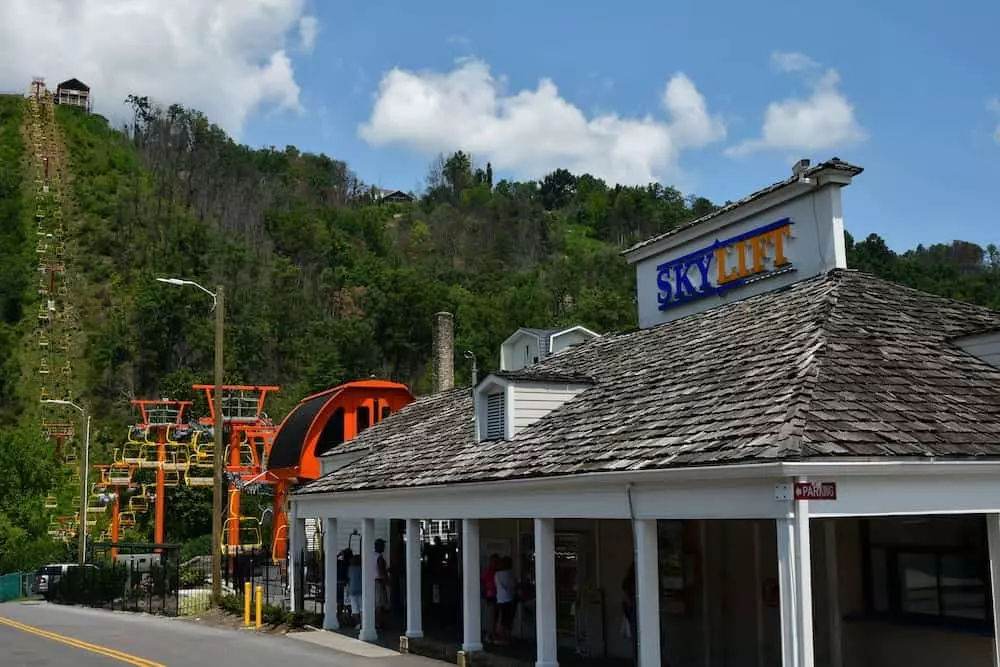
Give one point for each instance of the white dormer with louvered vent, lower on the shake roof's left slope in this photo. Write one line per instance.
(508, 402)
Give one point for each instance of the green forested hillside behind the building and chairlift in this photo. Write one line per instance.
(324, 284)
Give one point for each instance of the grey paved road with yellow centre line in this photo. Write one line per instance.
(35, 634)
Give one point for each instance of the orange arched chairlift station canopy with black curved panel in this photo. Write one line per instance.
(322, 421)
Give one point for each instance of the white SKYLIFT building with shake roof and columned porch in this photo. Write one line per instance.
(802, 461)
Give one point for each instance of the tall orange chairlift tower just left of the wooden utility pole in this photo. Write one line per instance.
(151, 437)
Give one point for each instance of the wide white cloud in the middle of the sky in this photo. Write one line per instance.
(532, 132)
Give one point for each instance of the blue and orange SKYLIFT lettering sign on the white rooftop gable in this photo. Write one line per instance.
(724, 265)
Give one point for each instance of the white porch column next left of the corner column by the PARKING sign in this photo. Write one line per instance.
(647, 587)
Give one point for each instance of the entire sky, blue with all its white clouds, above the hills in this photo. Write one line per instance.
(717, 98)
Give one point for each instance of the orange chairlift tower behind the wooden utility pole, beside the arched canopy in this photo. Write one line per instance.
(250, 434)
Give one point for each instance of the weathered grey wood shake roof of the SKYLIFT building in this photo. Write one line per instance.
(843, 365)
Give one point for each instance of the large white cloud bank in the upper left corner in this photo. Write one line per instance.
(225, 57)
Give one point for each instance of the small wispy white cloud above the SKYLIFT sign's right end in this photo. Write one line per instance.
(823, 120)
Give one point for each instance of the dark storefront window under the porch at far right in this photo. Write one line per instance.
(930, 568)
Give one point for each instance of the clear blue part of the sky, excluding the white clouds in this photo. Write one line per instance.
(919, 80)
